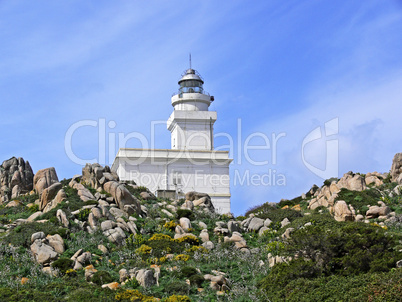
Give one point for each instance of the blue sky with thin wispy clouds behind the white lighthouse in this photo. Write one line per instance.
(279, 66)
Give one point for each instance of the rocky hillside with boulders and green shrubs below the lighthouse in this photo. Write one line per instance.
(95, 238)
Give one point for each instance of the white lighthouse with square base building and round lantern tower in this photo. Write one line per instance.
(192, 164)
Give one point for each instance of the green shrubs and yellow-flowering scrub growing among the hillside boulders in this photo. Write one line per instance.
(325, 260)
